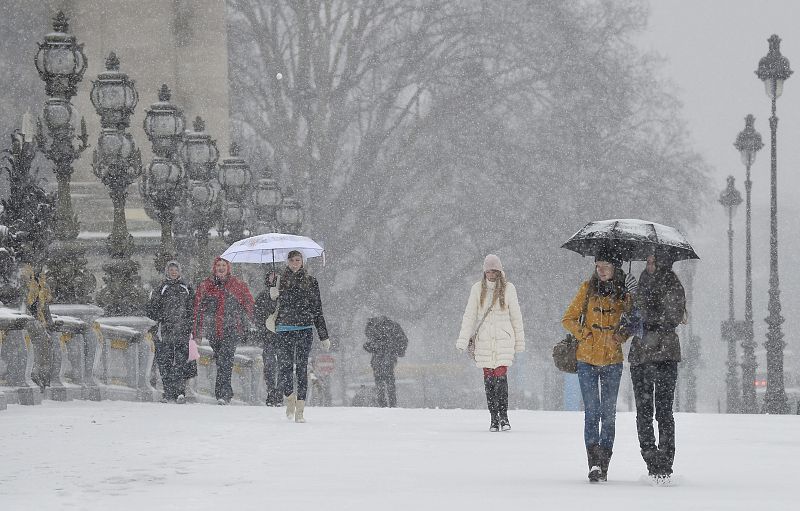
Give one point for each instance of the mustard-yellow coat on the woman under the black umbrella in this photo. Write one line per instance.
(598, 343)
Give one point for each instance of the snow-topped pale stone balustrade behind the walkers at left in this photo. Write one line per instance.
(100, 358)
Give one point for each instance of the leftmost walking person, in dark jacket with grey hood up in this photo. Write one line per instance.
(171, 307)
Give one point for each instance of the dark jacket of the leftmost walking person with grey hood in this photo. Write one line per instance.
(171, 306)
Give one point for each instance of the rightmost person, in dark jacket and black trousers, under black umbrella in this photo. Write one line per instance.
(654, 361)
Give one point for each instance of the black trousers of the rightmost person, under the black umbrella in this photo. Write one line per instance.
(654, 391)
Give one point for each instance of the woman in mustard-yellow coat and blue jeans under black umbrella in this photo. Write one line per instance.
(601, 300)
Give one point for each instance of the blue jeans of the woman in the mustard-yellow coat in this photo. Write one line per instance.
(599, 387)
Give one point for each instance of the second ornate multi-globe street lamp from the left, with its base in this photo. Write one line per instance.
(117, 163)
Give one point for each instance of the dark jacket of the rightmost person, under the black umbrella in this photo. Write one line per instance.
(662, 304)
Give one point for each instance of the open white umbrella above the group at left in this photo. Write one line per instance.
(271, 248)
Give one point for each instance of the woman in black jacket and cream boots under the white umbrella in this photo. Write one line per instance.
(299, 309)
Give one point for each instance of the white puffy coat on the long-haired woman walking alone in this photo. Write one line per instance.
(501, 334)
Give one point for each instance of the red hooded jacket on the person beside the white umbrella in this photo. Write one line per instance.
(227, 302)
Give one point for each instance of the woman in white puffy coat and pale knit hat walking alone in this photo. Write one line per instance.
(500, 335)
